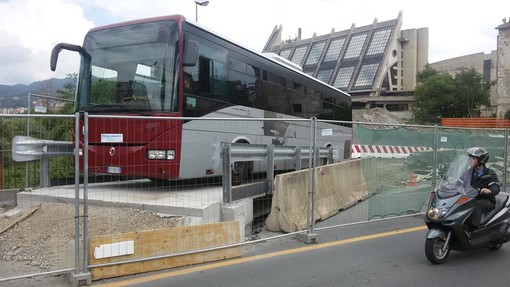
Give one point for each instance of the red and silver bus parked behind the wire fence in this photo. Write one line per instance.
(166, 66)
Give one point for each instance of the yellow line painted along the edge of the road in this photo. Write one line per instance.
(258, 257)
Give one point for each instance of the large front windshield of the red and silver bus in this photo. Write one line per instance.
(133, 69)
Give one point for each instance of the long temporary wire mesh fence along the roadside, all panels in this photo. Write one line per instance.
(139, 218)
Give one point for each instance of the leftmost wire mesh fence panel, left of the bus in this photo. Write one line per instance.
(37, 237)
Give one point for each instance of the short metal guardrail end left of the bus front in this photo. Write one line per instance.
(25, 148)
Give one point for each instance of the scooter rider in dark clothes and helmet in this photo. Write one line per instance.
(488, 188)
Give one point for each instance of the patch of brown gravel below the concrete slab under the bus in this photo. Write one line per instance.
(32, 240)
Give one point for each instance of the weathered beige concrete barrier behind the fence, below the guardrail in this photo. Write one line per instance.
(337, 186)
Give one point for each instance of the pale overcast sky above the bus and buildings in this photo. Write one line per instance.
(30, 28)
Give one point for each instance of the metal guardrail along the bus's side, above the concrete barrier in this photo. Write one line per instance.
(232, 152)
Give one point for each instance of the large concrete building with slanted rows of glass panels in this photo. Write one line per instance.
(376, 64)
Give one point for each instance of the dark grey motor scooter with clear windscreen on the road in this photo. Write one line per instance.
(449, 208)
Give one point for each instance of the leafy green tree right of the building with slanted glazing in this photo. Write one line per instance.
(438, 95)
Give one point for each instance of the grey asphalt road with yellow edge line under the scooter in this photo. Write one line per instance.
(383, 253)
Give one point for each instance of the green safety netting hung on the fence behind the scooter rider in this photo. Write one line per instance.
(401, 185)
